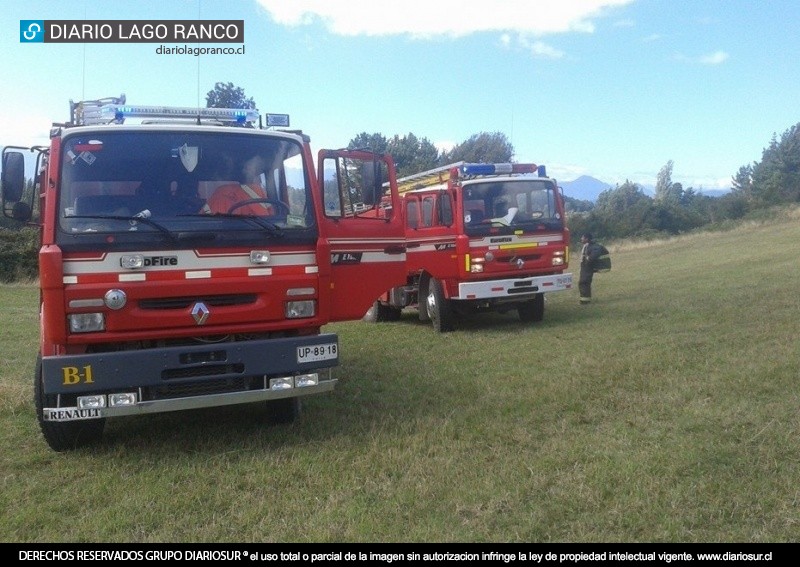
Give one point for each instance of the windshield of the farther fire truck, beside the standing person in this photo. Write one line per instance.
(518, 203)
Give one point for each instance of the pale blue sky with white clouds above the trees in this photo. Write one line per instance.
(614, 89)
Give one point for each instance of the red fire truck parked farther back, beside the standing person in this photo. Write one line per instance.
(480, 237)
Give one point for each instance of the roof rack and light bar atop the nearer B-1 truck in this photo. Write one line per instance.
(114, 111)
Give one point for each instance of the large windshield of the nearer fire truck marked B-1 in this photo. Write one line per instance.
(129, 187)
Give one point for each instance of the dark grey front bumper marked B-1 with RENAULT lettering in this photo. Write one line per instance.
(189, 377)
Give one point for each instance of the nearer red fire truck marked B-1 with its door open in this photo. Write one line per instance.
(153, 302)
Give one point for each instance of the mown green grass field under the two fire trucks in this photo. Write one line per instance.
(665, 411)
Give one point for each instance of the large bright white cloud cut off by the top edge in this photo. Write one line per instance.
(423, 18)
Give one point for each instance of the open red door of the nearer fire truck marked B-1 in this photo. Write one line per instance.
(362, 230)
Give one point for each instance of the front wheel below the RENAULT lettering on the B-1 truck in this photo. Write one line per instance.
(63, 436)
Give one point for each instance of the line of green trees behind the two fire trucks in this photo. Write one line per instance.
(624, 211)
